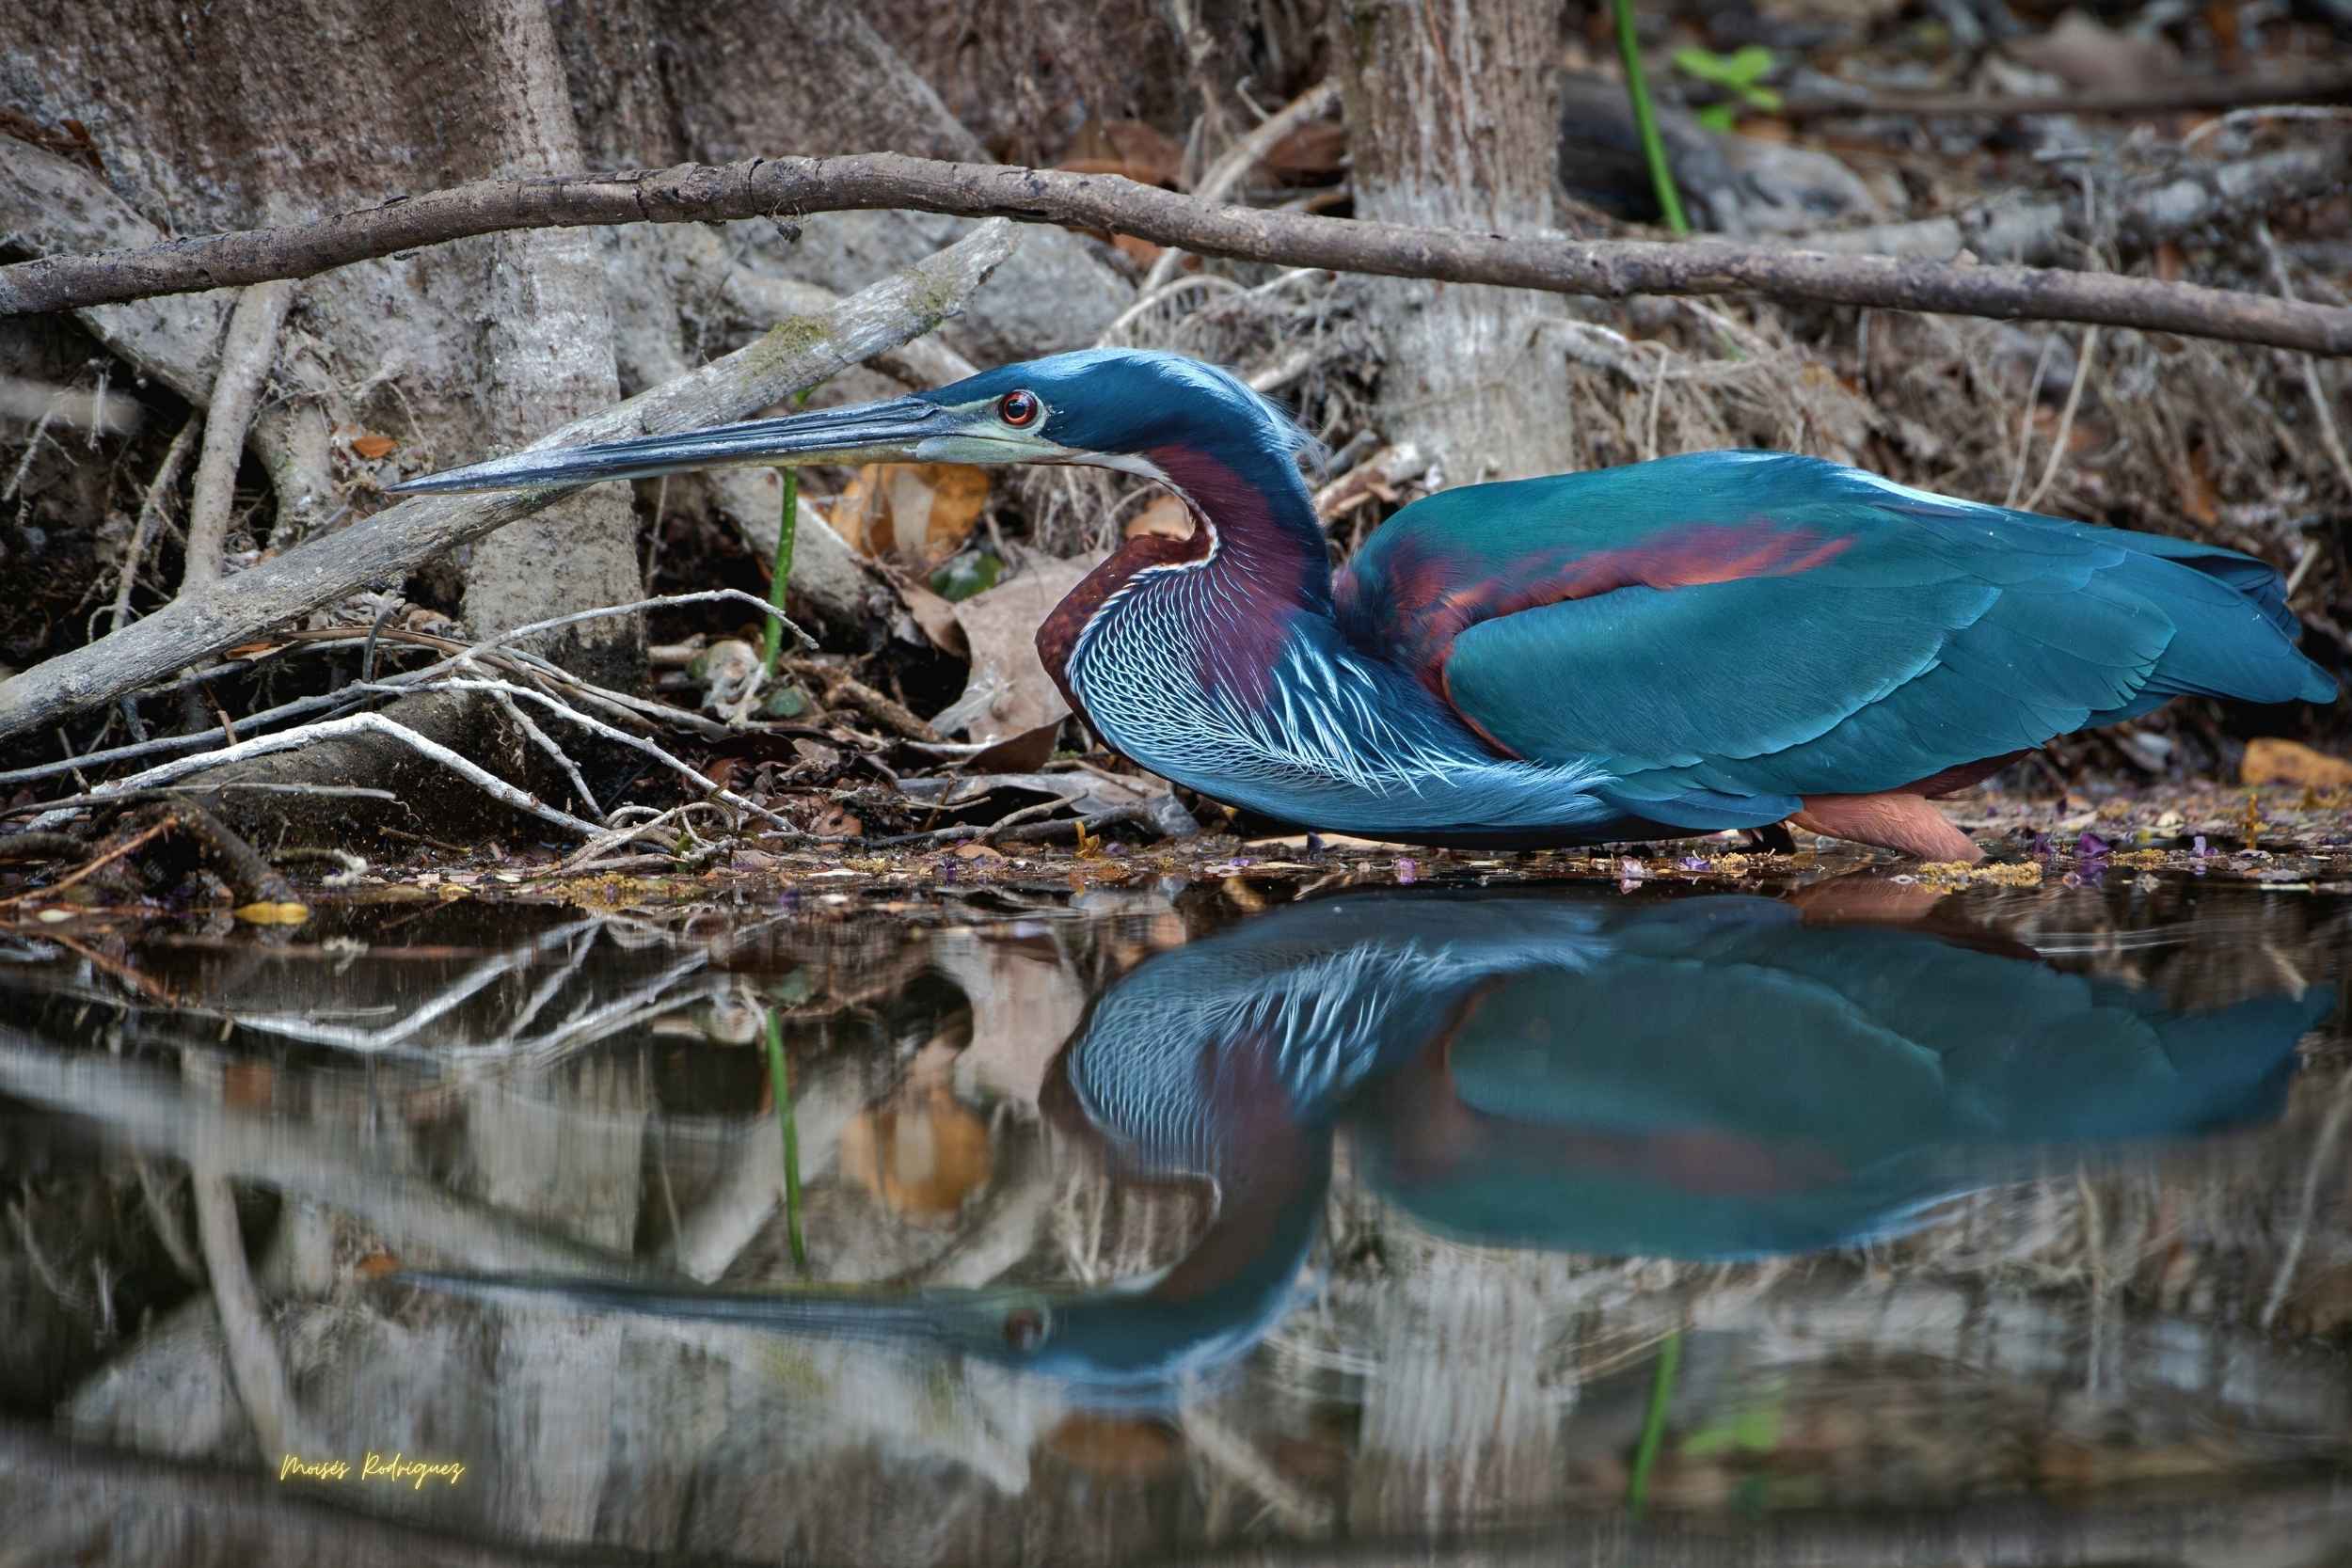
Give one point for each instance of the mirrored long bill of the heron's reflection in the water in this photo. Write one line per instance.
(940, 1318)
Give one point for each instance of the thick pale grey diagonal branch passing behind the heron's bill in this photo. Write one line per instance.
(399, 540)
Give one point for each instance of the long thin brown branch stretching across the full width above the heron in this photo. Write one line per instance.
(766, 187)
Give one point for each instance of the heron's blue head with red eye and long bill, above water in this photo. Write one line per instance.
(1109, 408)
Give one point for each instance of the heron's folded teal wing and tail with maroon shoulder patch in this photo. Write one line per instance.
(1732, 626)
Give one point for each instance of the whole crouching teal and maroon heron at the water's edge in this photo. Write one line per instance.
(1666, 650)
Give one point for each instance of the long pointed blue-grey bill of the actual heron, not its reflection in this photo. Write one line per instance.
(888, 431)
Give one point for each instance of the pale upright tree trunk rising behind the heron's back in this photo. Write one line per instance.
(1452, 121)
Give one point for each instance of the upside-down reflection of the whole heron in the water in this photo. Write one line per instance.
(1699, 1078)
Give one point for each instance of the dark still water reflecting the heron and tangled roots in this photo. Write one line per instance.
(1196, 1219)
